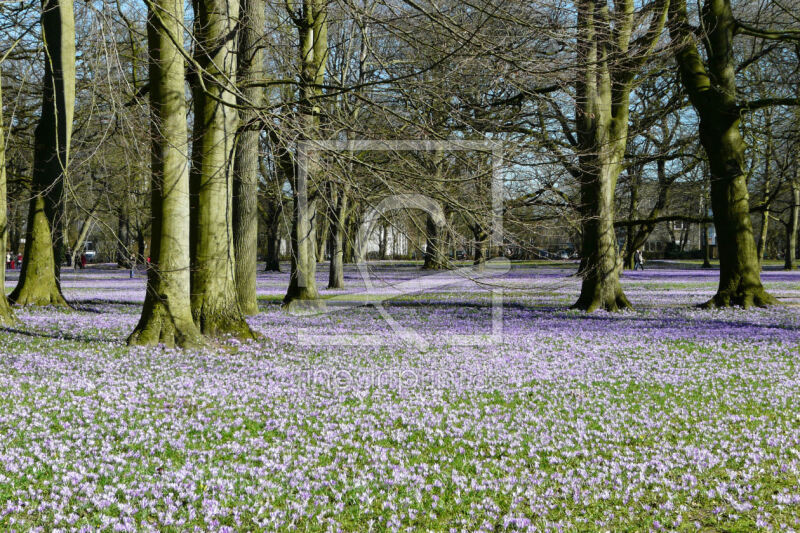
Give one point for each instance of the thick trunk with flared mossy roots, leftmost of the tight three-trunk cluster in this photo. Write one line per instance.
(167, 314)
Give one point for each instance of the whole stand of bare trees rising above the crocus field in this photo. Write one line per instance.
(188, 138)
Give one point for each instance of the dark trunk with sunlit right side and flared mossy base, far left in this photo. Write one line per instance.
(44, 246)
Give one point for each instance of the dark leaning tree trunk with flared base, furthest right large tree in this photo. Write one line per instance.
(715, 104)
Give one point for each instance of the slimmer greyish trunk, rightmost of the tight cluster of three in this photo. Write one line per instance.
(245, 179)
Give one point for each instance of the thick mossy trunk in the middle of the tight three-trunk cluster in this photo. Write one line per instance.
(215, 306)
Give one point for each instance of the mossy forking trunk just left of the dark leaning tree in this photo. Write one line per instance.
(607, 74)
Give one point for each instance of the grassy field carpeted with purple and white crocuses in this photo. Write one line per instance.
(664, 418)
